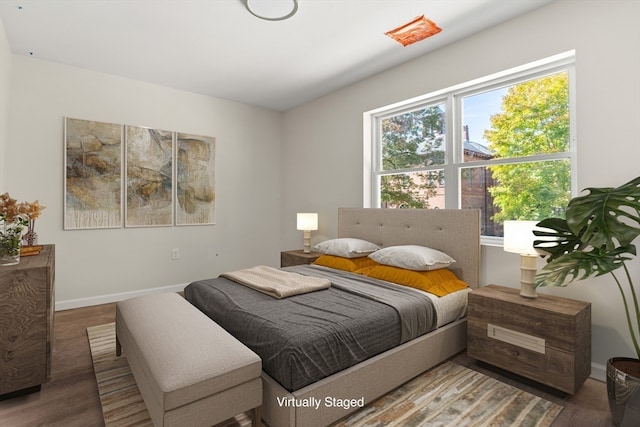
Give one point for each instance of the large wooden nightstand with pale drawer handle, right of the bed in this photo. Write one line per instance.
(547, 339)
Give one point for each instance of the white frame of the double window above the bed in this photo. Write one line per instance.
(452, 98)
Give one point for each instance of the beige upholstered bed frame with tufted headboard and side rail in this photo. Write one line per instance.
(453, 231)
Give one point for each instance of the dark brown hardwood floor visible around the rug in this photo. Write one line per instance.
(70, 399)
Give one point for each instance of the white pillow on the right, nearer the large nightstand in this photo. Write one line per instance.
(412, 257)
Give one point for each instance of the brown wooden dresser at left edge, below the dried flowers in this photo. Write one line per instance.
(26, 322)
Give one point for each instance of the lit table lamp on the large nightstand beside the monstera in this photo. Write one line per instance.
(518, 238)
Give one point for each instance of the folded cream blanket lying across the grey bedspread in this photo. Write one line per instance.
(275, 282)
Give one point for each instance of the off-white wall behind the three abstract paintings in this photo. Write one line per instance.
(92, 265)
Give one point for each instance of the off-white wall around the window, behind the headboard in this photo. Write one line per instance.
(323, 139)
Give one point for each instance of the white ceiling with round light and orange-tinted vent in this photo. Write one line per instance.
(217, 48)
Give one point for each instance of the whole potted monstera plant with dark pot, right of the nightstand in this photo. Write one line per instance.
(596, 238)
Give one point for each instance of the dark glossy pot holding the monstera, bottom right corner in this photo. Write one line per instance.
(623, 390)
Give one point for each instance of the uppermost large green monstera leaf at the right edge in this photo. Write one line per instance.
(596, 217)
